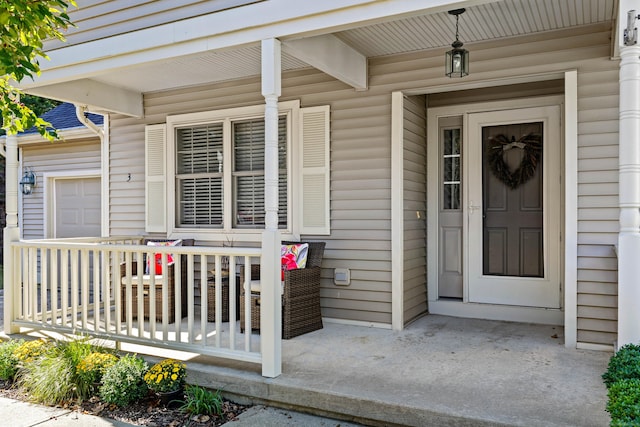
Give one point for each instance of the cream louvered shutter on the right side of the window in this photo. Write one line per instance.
(315, 169)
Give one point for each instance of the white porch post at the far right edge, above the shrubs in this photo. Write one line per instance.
(629, 185)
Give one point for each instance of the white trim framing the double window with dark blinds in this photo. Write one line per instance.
(292, 109)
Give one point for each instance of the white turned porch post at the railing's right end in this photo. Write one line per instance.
(271, 303)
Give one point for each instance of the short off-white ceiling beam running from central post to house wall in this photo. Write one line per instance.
(333, 56)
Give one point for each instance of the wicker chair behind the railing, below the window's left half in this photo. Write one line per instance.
(158, 286)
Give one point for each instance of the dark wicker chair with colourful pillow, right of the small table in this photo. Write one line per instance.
(300, 296)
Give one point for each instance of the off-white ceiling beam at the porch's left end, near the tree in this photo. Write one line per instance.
(98, 97)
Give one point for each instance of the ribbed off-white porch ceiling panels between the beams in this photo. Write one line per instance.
(481, 22)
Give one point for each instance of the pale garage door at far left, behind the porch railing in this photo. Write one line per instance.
(77, 207)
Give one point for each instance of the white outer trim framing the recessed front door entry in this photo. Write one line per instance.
(570, 209)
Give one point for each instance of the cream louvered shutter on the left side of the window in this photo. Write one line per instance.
(155, 141)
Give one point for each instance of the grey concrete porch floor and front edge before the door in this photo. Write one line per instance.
(438, 371)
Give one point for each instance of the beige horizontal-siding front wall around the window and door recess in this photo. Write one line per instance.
(361, 160)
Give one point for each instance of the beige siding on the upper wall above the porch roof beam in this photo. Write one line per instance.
(97, 19)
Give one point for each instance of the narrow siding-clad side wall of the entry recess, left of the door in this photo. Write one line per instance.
(415, 198)
